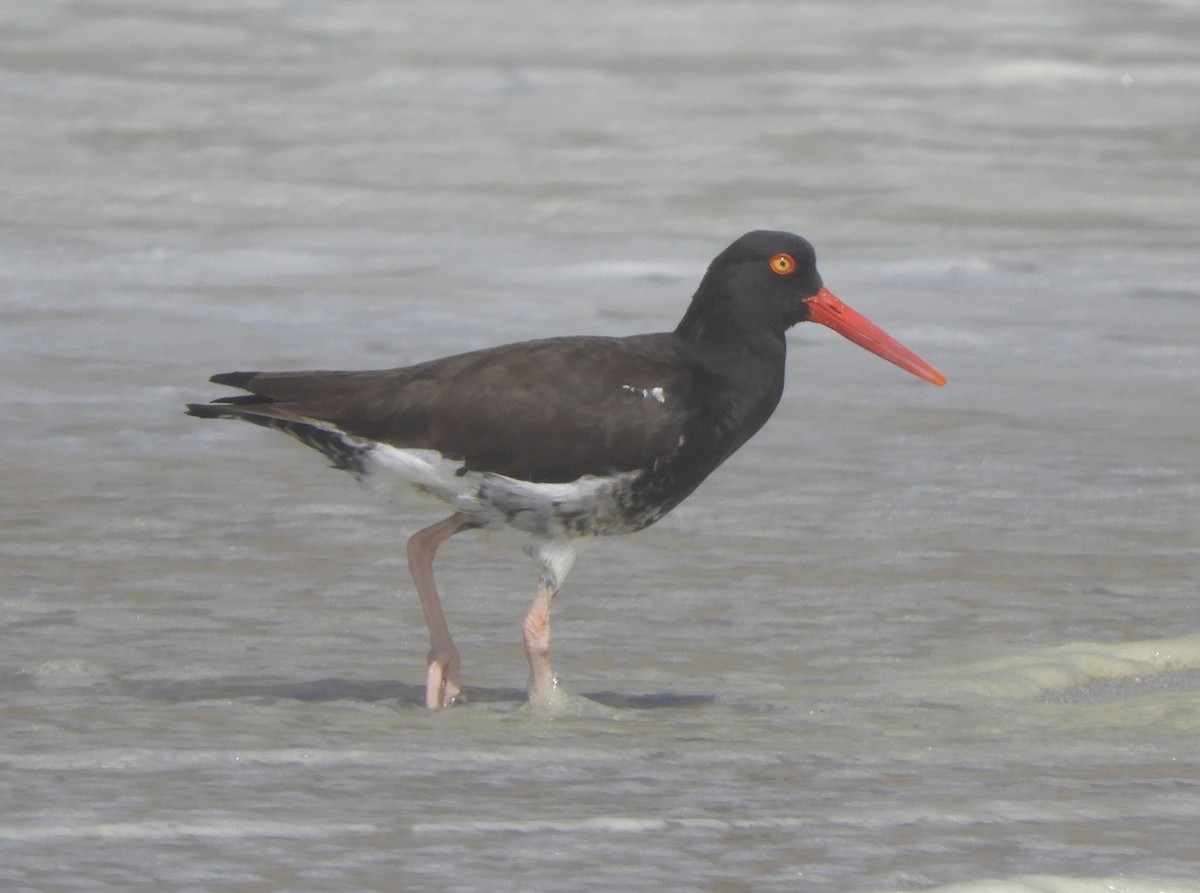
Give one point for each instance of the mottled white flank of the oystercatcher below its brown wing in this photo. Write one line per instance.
(549, 512)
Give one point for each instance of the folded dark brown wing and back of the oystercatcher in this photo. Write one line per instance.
(543, 411)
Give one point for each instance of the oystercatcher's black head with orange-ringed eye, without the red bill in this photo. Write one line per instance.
(757, 286)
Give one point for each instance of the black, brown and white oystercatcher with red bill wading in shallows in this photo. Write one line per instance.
(569, 439)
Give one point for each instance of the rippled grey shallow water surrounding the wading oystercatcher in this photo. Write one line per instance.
(907, 639)
